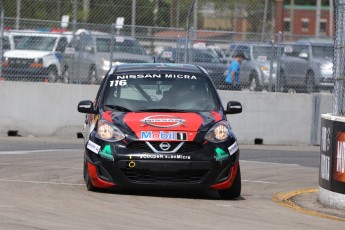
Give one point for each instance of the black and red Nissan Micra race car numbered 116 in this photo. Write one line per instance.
(160, 126)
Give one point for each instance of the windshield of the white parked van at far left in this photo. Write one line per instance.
(35, 43)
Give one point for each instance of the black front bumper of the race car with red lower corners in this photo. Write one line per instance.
(130, 168)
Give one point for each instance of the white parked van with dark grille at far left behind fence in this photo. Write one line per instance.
(36, 56)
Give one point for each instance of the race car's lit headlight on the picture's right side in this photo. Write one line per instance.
(219, 132)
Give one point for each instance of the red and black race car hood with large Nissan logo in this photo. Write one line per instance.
(163, 126)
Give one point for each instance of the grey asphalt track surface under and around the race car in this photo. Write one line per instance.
(41, 187)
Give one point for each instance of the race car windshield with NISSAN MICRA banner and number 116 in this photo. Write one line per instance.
(179, 92)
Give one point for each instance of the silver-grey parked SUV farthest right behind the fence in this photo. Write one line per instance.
(307, 65)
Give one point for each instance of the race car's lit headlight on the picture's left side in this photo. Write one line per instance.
(109, 132)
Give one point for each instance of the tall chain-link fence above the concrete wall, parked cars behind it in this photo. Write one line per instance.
(287, 47)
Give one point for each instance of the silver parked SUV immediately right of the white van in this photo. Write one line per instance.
(89, 59)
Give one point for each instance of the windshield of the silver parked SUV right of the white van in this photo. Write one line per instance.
(121, 45)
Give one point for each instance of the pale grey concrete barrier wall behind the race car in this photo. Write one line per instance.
(44, 109)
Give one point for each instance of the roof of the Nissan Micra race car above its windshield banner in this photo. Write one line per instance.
(132, 67)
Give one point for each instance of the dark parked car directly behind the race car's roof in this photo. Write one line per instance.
(202, 57)
